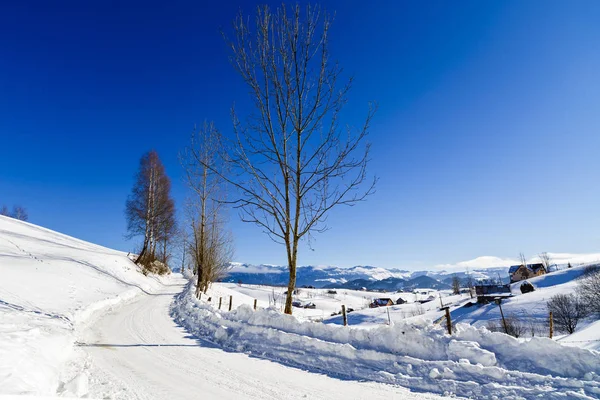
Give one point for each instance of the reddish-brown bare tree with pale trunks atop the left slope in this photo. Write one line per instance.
(150, 210)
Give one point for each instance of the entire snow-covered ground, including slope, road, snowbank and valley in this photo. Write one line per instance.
(78, 319)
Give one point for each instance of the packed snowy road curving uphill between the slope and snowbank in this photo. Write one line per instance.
(139, 352)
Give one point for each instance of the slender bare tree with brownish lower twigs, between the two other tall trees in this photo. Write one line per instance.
(211, 244)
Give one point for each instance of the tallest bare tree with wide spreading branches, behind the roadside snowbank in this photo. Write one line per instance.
(292, 161)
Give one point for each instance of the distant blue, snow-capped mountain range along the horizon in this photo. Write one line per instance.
(369, 277)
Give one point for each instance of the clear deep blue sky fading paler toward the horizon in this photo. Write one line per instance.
(486, 142)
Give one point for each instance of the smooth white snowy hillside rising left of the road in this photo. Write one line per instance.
(51, 283)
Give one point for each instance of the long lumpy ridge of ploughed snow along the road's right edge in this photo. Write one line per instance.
(472, 363)
